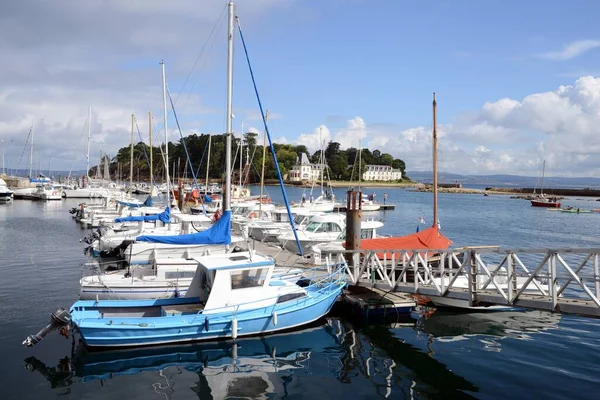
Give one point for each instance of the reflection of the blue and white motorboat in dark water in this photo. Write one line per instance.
(251, 368)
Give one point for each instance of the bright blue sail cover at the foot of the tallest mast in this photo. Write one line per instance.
(219, 233)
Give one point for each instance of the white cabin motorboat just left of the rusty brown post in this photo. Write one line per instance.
(322, 228)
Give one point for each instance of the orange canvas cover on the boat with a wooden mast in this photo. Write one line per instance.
(430, 238)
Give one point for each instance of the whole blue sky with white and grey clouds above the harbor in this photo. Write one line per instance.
(517, 82)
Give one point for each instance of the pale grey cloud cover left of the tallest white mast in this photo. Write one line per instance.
(61, 57)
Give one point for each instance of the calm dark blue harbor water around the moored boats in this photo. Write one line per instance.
(448, 355)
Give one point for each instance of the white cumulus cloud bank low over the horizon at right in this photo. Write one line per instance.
(504, 136)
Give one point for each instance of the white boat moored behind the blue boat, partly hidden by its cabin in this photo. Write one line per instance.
(165, 278)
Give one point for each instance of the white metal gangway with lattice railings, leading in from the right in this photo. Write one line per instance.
(559, 280)
